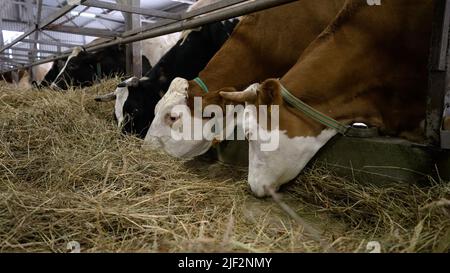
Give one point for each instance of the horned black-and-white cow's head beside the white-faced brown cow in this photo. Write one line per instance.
(134, 105)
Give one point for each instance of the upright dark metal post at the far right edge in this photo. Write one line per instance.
(437, 71)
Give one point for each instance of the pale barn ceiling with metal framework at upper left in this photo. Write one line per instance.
(79, 26)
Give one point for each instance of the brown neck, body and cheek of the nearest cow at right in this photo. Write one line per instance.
(365, 68)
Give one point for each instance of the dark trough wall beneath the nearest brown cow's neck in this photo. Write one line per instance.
(377, 161)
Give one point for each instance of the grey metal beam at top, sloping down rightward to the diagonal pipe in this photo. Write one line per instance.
(132, 9)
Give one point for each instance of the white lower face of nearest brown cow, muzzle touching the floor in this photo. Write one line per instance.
(273, 169)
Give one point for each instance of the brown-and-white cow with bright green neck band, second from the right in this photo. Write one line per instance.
(263, 45)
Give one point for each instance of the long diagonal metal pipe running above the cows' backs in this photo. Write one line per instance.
(218, 16)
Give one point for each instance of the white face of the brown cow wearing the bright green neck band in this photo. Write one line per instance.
(160, 133)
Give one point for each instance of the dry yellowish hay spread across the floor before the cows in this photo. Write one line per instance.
(67, 174)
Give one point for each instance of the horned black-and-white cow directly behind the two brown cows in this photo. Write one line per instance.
(136, 98)
